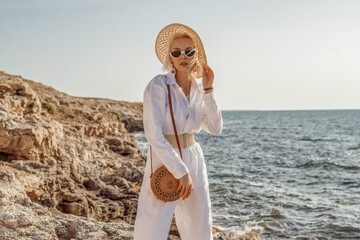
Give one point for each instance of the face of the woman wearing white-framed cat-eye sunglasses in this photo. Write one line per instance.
(183, 63)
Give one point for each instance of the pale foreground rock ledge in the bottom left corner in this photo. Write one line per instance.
(21, 218)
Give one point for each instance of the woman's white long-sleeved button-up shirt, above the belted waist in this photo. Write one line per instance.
(201, 113)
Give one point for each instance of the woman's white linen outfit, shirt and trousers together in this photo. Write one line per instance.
(192, 215)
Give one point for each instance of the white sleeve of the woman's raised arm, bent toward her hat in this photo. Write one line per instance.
(211, 121)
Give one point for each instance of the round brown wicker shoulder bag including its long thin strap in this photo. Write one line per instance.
(163, 183)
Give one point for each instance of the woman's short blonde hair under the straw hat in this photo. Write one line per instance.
(167, 66)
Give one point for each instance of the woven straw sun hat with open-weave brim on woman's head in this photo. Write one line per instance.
(166, 34)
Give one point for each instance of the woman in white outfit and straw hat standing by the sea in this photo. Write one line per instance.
(180, 50)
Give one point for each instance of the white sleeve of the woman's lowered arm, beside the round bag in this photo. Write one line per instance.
(153, 118)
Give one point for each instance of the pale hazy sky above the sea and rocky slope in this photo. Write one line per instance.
(265, 54)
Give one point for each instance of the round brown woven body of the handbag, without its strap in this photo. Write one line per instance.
(164, 185)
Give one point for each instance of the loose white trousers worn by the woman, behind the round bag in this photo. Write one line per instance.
(192, 215)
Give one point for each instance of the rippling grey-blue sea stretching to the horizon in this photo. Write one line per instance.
(284, 174)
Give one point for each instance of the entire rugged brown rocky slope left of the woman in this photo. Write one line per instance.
(69, 166)
